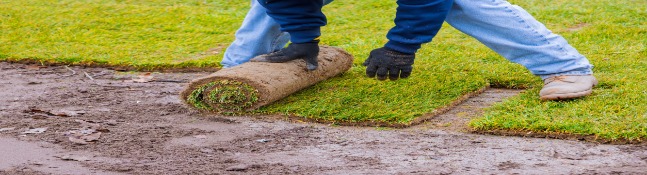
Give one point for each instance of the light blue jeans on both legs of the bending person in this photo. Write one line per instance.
(505, 28)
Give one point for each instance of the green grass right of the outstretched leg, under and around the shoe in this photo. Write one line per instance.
(614, 39)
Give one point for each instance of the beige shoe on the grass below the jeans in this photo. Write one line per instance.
(567, 87)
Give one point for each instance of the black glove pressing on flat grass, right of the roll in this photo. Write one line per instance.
(383, 60)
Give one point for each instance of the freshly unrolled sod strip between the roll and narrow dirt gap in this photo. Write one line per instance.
(353, 99)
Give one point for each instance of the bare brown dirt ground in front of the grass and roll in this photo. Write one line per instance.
(72, 120)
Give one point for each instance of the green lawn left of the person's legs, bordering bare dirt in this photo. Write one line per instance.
(144, 34)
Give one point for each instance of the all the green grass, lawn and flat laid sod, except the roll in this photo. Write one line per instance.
(178, 34)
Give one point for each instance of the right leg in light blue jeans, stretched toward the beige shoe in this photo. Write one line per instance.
(514, 34)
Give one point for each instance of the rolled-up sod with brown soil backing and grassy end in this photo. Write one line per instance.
(252, 85)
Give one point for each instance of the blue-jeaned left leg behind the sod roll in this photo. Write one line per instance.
(259, 34)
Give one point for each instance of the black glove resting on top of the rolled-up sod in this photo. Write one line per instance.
(306, 51)
